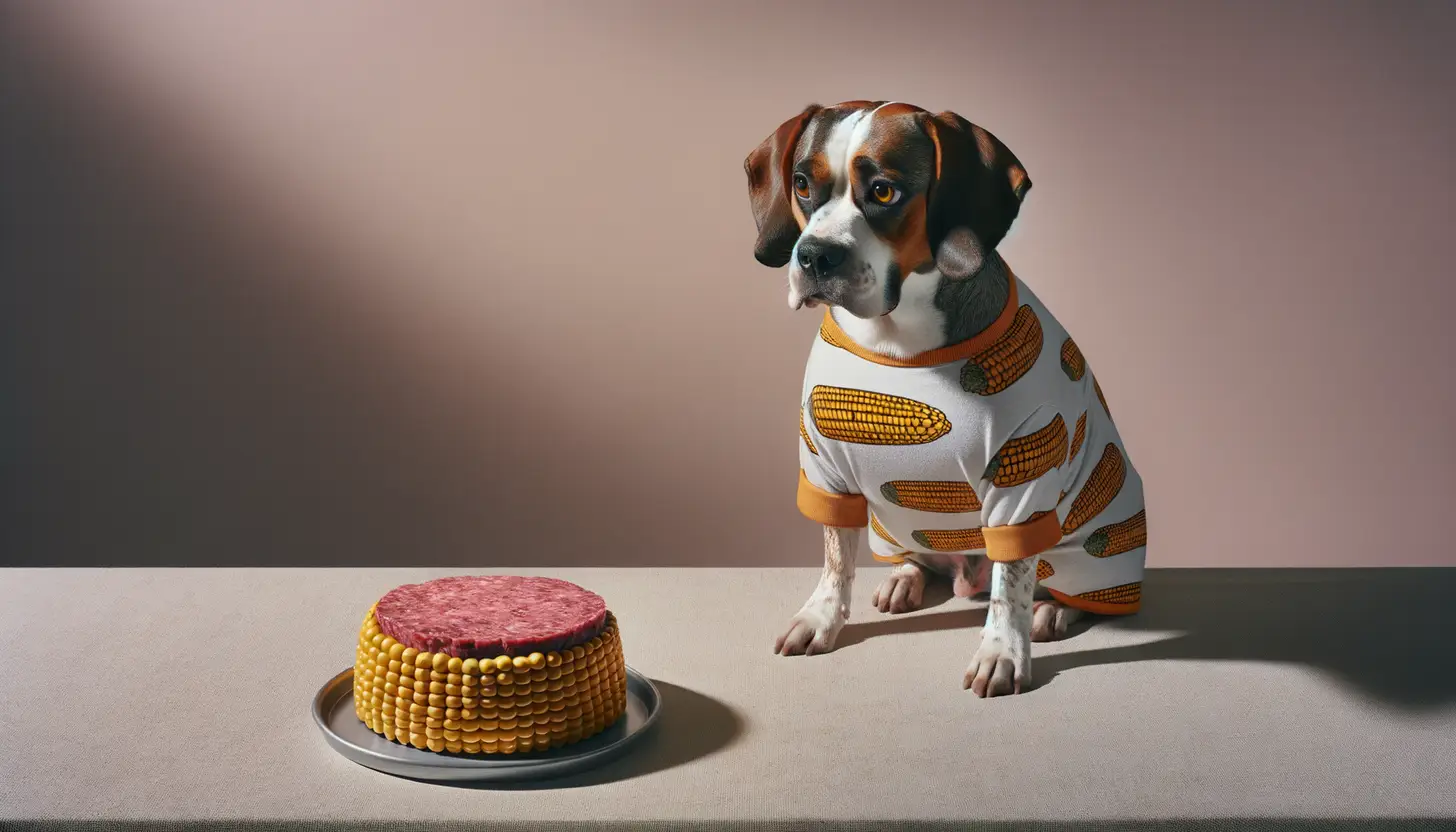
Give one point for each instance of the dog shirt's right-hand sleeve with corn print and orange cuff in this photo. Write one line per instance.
(1023, 486)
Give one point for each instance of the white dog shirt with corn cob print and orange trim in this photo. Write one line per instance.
(998, 447)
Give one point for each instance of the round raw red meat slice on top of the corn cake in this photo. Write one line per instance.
(483, 617)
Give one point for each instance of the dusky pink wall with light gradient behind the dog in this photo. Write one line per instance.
(472, 283)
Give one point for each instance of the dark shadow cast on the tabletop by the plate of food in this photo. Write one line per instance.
(692, 726)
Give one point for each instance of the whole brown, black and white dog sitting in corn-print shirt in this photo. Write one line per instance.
(944, 407)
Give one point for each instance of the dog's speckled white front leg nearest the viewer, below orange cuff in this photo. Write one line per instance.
(1002, 664)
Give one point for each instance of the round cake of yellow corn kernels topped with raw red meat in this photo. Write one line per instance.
(490, 665)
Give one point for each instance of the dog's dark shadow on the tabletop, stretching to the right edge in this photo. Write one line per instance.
(1381, 632)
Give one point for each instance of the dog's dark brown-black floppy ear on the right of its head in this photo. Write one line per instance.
(976, 196)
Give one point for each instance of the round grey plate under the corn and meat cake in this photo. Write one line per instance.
(334, 713)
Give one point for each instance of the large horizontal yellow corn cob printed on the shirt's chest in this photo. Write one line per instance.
(864, 417)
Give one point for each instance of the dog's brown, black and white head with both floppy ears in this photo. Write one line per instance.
(860, 196)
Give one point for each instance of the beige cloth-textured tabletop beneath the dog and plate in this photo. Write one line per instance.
(1314, 700)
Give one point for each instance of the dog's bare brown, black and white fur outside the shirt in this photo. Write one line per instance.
(901, 279)
